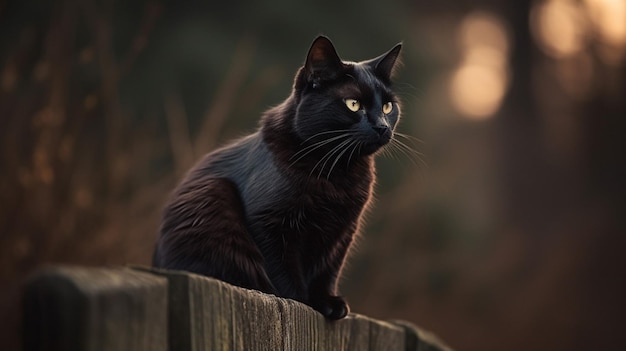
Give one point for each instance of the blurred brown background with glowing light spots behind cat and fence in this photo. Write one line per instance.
(510, 235)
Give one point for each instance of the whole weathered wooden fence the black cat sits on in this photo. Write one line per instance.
(141, 309)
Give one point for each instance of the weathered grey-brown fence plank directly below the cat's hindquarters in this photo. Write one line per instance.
(208, 314)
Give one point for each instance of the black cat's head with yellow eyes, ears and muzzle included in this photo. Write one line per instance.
(345, 103)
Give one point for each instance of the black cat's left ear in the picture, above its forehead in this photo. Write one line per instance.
(322, 62)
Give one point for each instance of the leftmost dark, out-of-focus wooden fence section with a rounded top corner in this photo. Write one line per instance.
(84, 309)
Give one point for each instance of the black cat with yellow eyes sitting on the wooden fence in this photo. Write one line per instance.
(278, 210)
